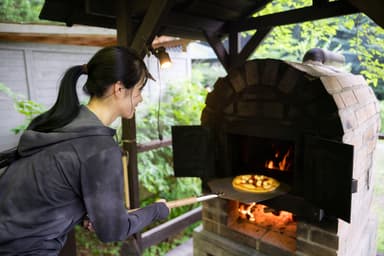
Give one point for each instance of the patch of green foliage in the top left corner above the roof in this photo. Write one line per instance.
(20, 10)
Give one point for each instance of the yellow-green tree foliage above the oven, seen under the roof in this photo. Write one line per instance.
(357, 37)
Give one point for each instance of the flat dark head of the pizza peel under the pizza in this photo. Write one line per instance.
(224, 188)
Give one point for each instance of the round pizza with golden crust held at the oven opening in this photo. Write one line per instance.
(255, 183)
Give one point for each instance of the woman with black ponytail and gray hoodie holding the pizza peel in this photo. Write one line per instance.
(68, 165)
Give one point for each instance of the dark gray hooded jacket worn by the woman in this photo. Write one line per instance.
(60, 177)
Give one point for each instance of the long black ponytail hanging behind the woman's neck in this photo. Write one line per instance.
(66, 107)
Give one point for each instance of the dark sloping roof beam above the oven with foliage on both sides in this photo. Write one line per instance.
(328, 10)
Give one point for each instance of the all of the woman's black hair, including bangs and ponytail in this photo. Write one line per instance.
(106, 67)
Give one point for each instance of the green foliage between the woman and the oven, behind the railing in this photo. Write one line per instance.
(181, 104)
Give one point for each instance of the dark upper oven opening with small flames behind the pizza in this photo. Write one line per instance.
(270, 157)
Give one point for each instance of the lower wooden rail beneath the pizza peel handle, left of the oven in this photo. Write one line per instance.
(170, 228)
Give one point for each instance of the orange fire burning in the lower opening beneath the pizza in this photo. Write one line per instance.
(262, 215)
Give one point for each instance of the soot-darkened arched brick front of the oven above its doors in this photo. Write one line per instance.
(275, 94)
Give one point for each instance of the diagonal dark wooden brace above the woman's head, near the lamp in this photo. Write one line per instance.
(152, 20)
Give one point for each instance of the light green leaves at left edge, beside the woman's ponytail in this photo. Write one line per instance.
(26, 107)
